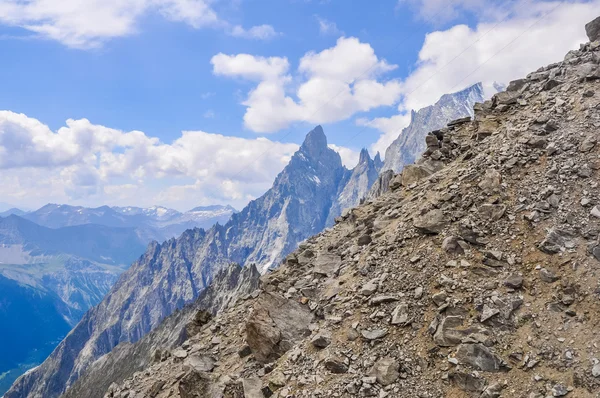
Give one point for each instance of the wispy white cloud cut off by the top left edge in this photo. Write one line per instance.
(88, 24)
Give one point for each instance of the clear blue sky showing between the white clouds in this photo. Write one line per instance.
(159, 80)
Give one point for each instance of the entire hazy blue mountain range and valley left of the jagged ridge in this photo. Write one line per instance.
(63, 260)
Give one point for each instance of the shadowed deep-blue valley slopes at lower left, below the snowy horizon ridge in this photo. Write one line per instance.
(53, 276)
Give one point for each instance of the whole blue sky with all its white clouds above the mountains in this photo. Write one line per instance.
(184, 103)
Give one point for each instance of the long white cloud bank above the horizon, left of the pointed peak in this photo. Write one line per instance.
(86, 161)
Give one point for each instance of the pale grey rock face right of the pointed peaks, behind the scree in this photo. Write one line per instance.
(410, 144)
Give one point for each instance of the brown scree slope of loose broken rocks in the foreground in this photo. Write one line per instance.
(476, 275)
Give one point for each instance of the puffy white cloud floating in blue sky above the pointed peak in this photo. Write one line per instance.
(328, 86)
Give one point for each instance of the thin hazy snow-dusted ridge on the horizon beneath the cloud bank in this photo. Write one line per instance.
(154, 223)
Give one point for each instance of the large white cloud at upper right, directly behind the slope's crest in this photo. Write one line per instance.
(494, 51)
